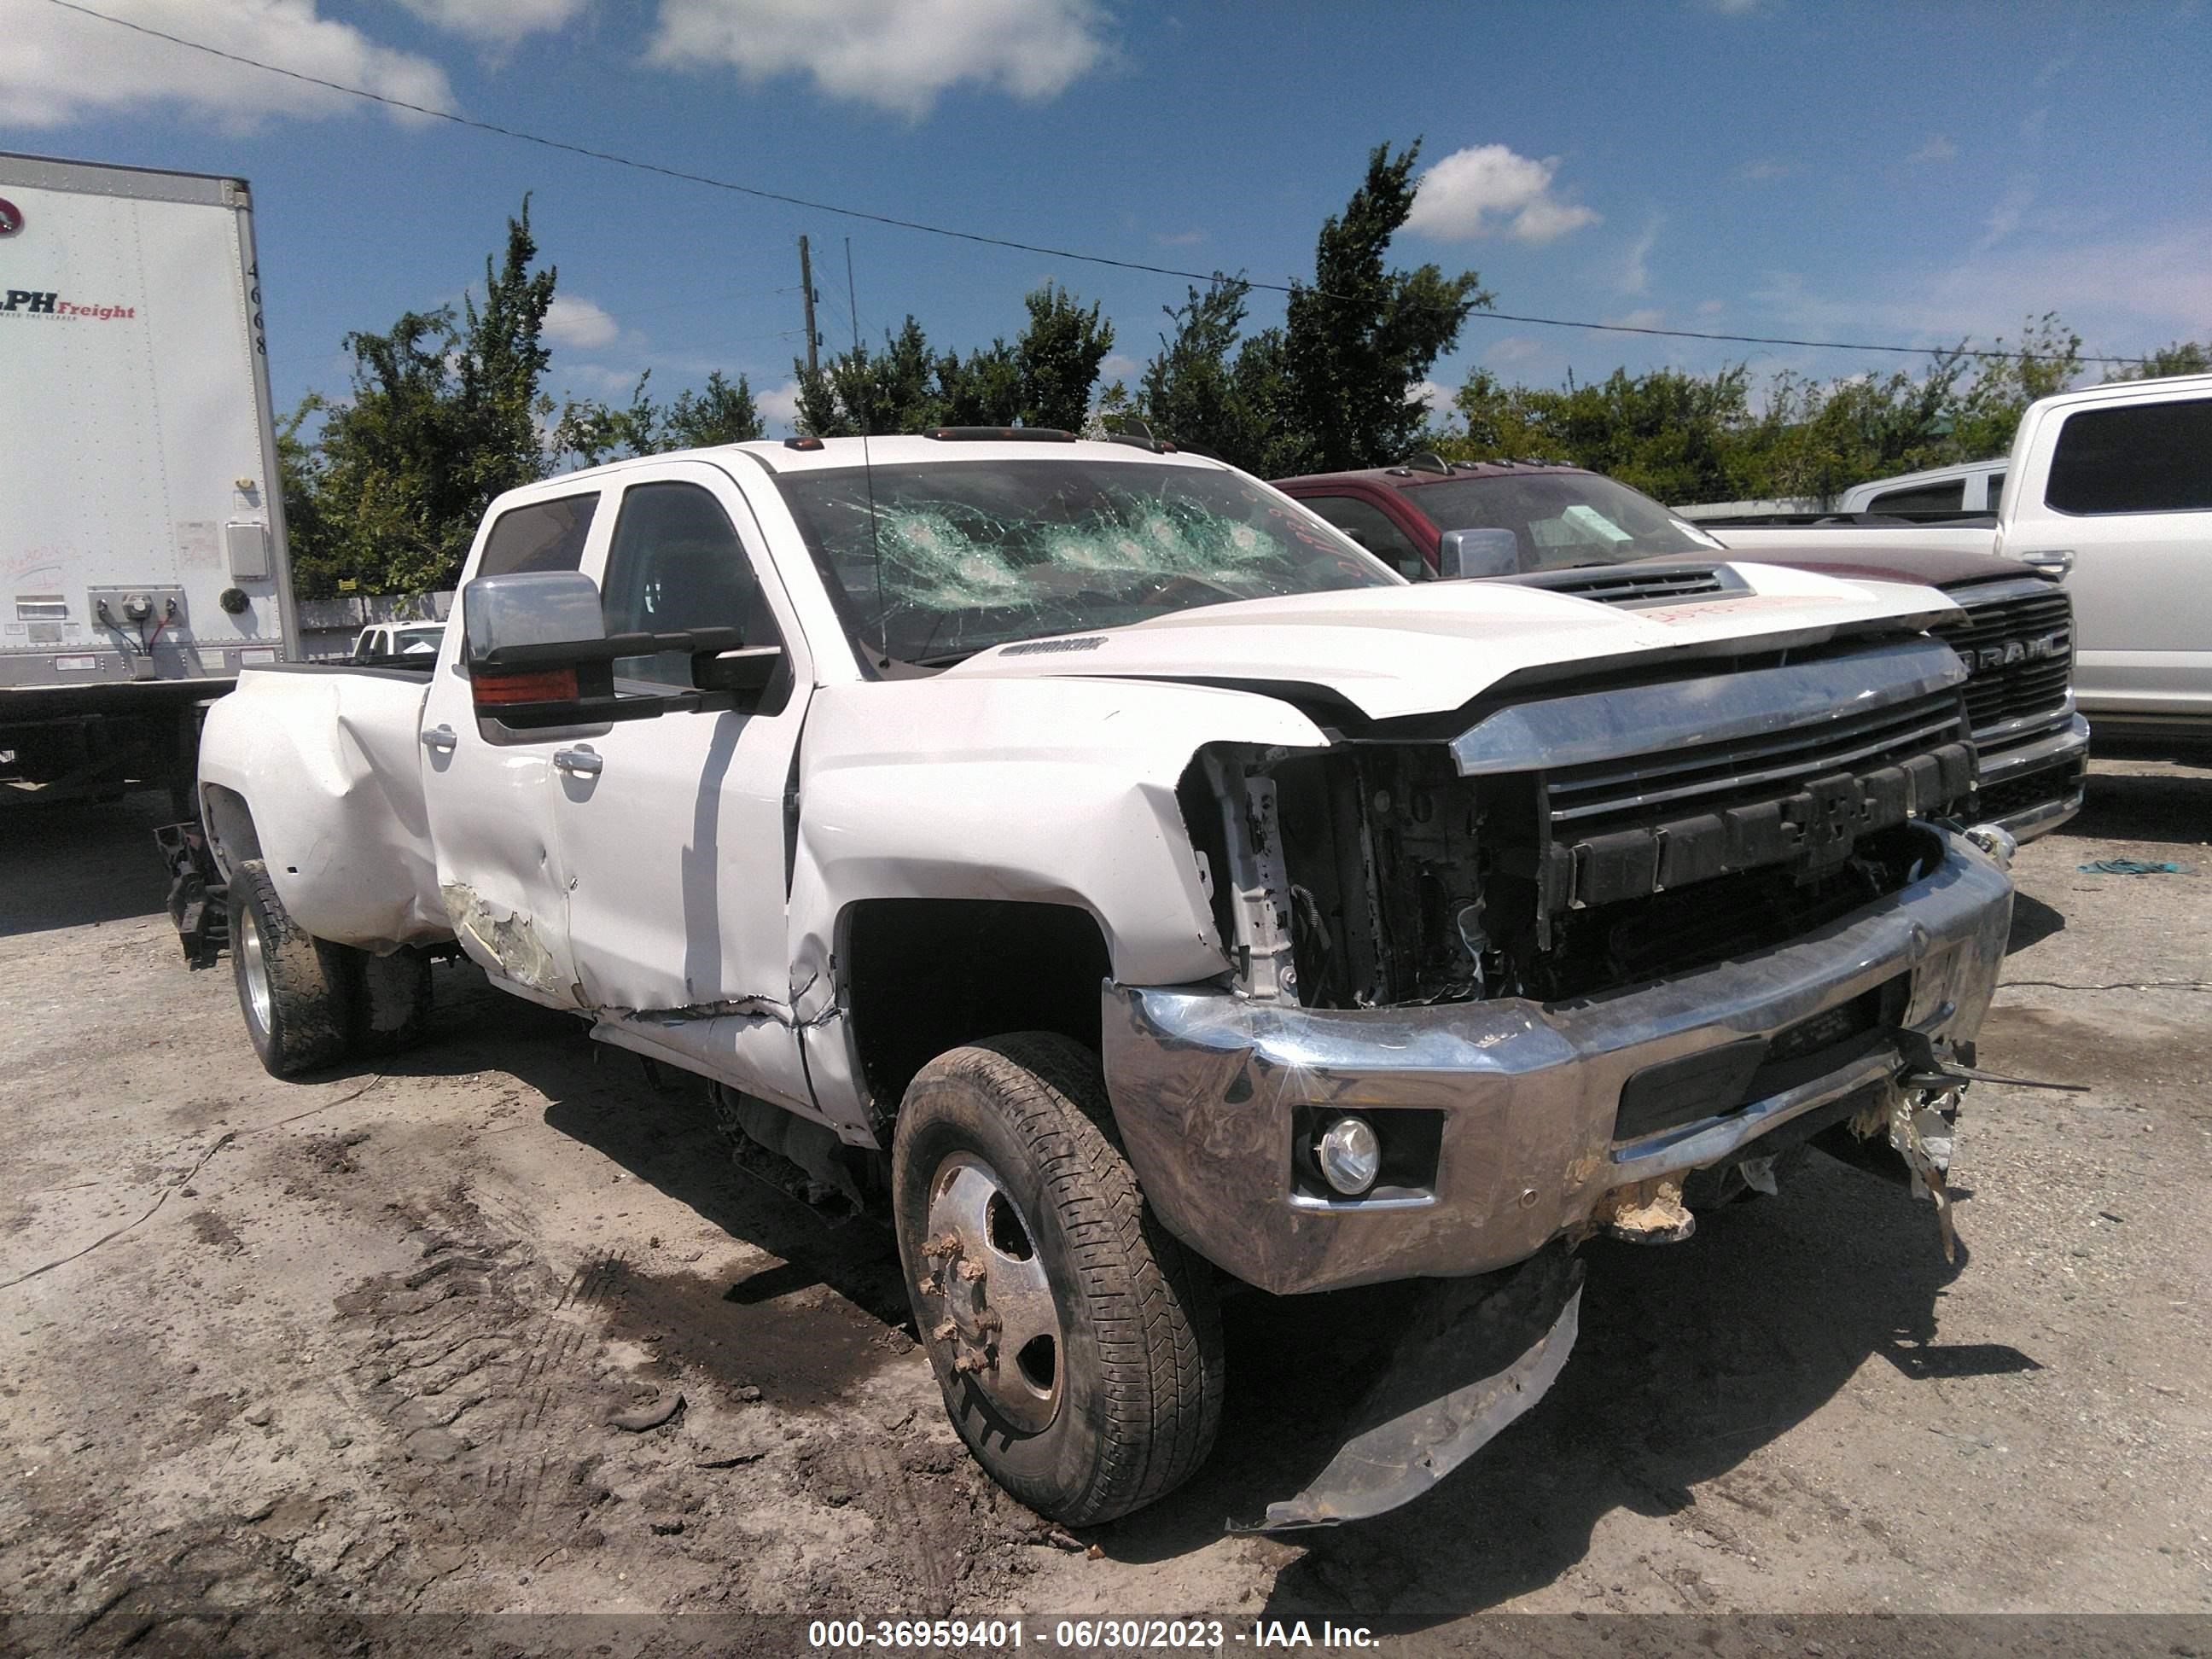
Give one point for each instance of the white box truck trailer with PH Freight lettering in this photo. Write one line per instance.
(143, 554)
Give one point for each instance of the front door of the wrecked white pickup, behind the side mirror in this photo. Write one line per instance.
(674, 831)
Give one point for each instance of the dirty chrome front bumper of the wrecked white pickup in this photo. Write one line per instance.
(1207, 1089)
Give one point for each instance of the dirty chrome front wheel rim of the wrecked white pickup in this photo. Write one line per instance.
(997, 1313)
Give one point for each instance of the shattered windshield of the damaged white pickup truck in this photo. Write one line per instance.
(941, 561)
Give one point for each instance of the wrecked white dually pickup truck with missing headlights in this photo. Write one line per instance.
(1098, 862)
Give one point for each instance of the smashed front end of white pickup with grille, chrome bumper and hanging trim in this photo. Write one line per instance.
(1572, 968)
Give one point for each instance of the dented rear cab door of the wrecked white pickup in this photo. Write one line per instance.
(488, 793)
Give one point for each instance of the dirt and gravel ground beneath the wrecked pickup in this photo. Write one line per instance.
(348, 1348)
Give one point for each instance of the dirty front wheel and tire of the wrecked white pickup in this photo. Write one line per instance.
(1021, 1123)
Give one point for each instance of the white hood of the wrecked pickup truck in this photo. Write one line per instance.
(1406, 649)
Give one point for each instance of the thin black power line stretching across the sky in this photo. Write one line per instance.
(1008, 242)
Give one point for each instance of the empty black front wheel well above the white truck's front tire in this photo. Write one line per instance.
(930, 974)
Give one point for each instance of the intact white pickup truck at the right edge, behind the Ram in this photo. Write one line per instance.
(2109, 488)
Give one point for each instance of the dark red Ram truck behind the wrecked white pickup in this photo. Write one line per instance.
(1592, 536)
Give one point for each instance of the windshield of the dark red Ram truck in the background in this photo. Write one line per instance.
(1563, 519)
